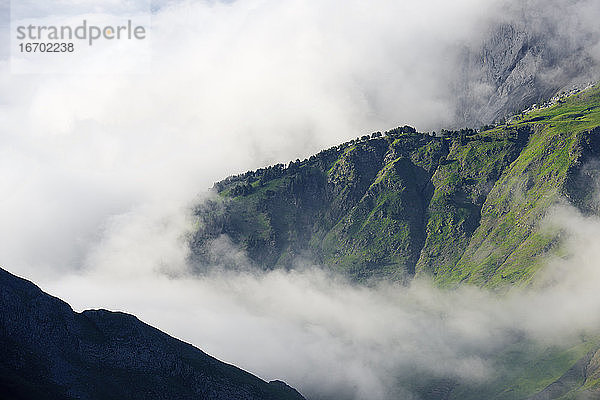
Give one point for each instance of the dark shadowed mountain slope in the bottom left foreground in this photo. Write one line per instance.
(50, 352)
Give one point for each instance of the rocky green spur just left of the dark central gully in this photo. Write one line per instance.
(382, 232)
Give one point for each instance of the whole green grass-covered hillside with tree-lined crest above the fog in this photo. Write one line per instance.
(459, 206)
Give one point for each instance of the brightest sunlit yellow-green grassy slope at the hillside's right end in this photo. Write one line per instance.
(508, 245)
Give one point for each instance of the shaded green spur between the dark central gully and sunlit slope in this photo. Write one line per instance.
(462, 184)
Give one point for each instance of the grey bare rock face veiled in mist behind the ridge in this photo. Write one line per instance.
(518, 65)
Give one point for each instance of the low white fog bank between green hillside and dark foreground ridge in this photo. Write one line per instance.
(334, 339)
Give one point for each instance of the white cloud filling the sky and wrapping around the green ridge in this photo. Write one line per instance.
(99, 167)
